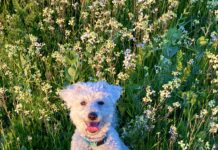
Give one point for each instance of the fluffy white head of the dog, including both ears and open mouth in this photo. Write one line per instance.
(92, 105)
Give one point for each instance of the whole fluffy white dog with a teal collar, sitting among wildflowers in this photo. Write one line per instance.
(92, 108)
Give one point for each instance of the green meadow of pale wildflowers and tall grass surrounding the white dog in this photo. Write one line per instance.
(163, 53)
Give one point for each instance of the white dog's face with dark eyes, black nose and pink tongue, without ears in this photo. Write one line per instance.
(92, 115)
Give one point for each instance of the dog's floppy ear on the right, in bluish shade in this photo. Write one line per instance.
(115, 92)
